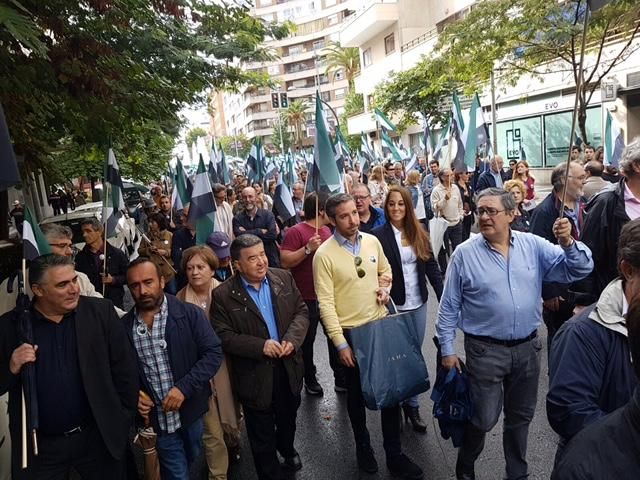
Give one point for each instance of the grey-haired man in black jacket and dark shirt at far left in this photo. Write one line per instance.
(86, 377)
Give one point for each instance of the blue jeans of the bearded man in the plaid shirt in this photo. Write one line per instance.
(177, 450)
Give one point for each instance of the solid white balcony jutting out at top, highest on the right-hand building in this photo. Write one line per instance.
(369, 22)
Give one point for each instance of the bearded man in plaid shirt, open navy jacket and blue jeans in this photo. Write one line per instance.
(178, 353)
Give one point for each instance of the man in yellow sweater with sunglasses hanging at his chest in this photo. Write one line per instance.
(351, 276)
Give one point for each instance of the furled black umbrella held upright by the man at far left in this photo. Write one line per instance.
(28, 372)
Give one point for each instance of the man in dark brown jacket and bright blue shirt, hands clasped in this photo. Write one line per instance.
(262, 320)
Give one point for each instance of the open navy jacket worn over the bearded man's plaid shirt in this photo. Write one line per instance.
(195, 354)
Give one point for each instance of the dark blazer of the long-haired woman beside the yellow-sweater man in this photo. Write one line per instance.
(426, 269)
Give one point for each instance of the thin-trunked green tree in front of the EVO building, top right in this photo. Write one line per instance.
(539, 37)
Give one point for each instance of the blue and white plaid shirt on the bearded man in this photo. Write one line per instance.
(152, 352)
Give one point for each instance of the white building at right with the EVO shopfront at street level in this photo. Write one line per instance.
(534, 116)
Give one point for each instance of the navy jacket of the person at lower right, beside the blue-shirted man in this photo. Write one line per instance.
(590, 374)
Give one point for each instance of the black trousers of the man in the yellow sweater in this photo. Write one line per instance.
(390, 417)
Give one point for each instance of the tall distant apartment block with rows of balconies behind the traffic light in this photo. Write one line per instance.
(299, 70)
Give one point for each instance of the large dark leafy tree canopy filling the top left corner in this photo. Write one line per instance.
(83, 75)
